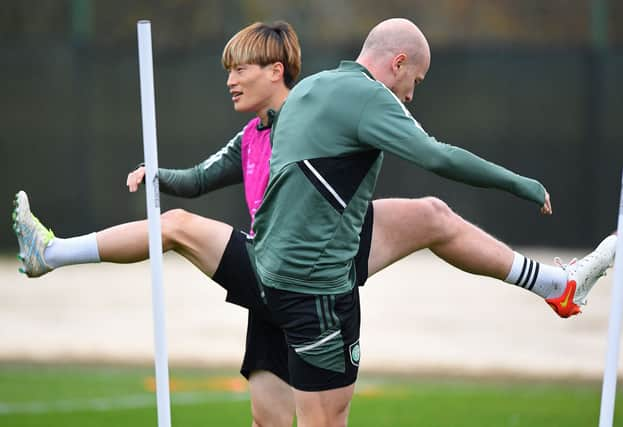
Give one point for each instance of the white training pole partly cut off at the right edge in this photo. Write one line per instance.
(608, 392)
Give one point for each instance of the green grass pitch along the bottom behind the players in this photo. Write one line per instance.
(68, 396)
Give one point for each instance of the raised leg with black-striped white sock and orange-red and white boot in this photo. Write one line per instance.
(403, 226)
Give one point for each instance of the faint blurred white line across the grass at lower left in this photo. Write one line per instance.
(104, 404)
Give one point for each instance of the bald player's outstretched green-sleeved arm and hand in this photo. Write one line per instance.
(387, 125)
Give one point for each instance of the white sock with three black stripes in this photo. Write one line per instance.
(544, 280)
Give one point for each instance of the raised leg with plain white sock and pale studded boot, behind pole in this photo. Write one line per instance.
(200, 240)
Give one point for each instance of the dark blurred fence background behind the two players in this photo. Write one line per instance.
(533, 85)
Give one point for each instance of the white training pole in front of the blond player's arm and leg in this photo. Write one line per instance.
(150, 147)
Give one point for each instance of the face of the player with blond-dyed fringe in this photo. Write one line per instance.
(250, 87)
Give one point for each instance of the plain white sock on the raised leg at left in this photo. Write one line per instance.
(76, 250)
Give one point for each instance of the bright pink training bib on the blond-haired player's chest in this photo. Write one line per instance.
(255, 152)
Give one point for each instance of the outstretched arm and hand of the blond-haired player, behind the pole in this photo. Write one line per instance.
(221, 169)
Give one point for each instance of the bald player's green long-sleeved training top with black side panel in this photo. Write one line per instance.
(327, 152)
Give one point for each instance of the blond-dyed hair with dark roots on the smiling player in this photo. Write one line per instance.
(265, 44)
